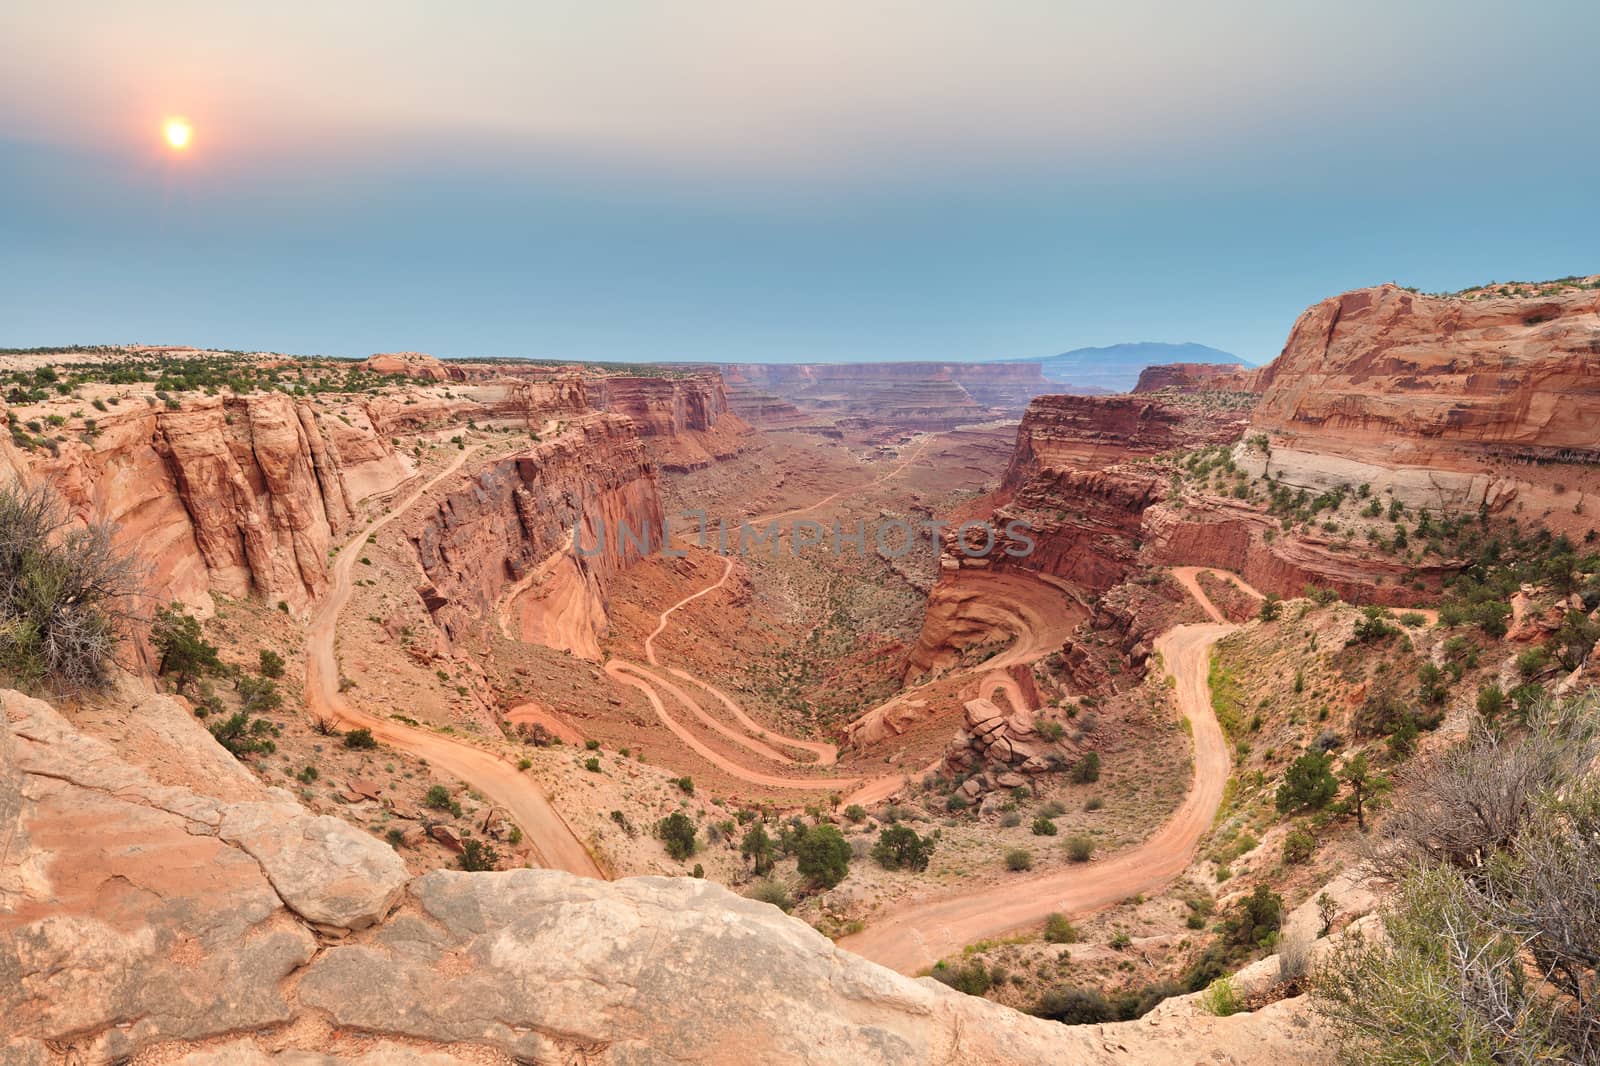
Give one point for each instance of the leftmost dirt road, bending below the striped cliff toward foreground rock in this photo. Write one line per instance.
(554, 843)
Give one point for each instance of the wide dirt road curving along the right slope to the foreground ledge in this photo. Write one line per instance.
(916, 937)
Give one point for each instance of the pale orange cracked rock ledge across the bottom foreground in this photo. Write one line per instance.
(142, 918)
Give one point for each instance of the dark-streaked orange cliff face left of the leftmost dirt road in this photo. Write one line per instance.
(233, 495)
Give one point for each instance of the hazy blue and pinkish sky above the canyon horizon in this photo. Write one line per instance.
(748, 180)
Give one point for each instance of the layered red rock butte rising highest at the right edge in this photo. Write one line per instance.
(1450, 403)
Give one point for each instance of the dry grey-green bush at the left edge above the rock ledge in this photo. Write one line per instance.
(66, 595)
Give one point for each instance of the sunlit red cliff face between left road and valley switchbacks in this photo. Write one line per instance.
(503, 547)
